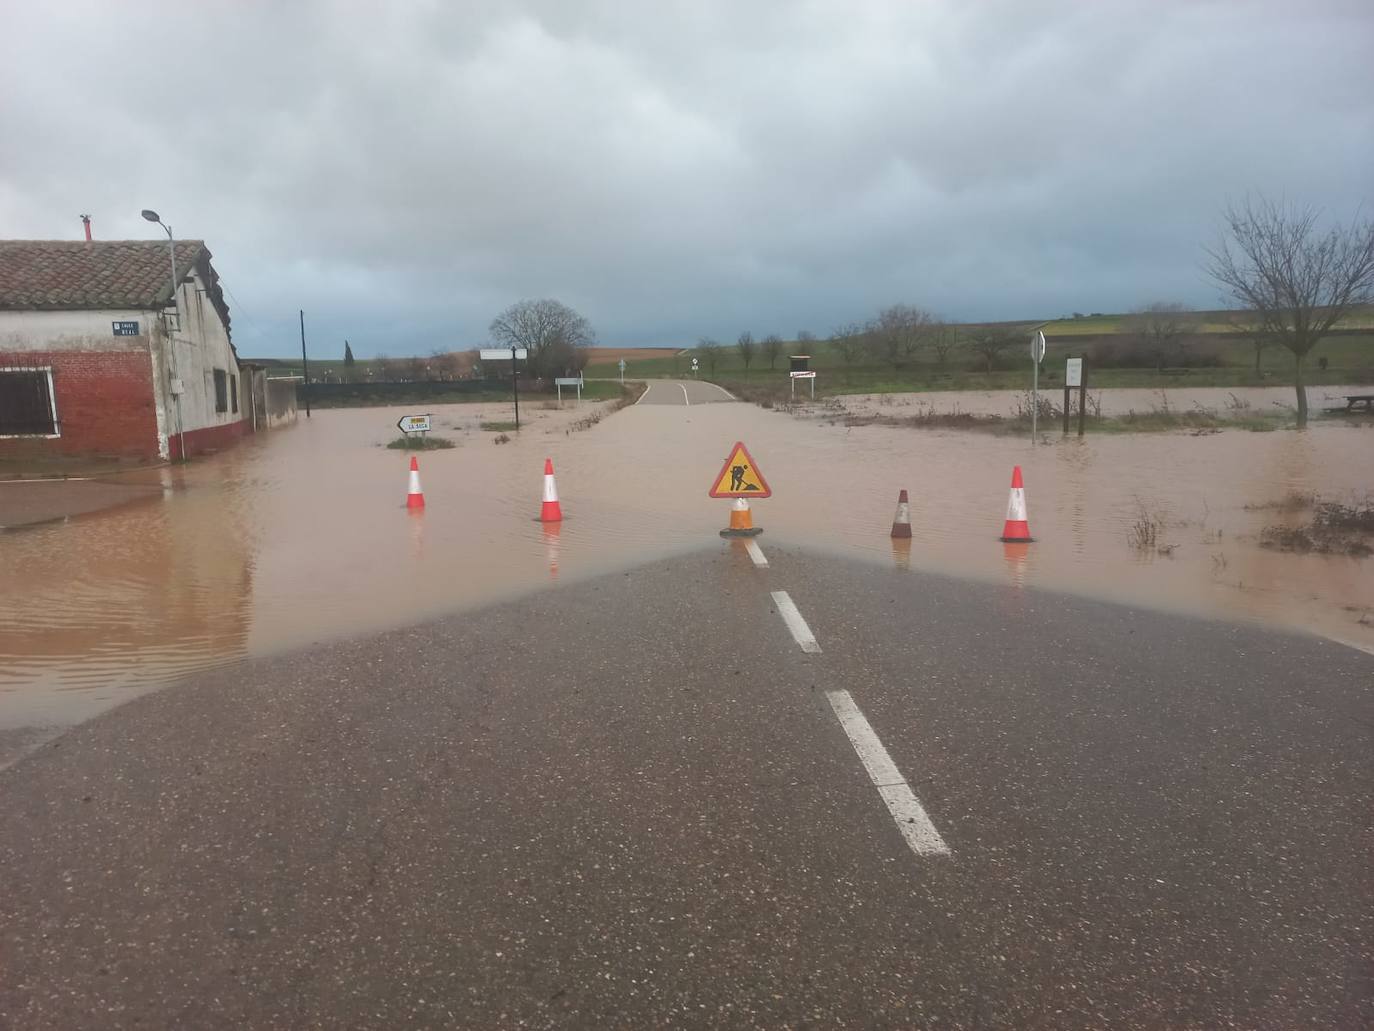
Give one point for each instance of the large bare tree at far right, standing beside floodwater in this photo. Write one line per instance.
(1296, 281)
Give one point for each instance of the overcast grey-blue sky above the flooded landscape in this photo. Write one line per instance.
(405, 171)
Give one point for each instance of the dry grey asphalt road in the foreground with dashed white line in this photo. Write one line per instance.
(717, 794)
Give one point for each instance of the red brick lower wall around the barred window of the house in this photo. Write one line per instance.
(105, 403)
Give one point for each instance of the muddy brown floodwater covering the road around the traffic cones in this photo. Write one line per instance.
(302, 535)
